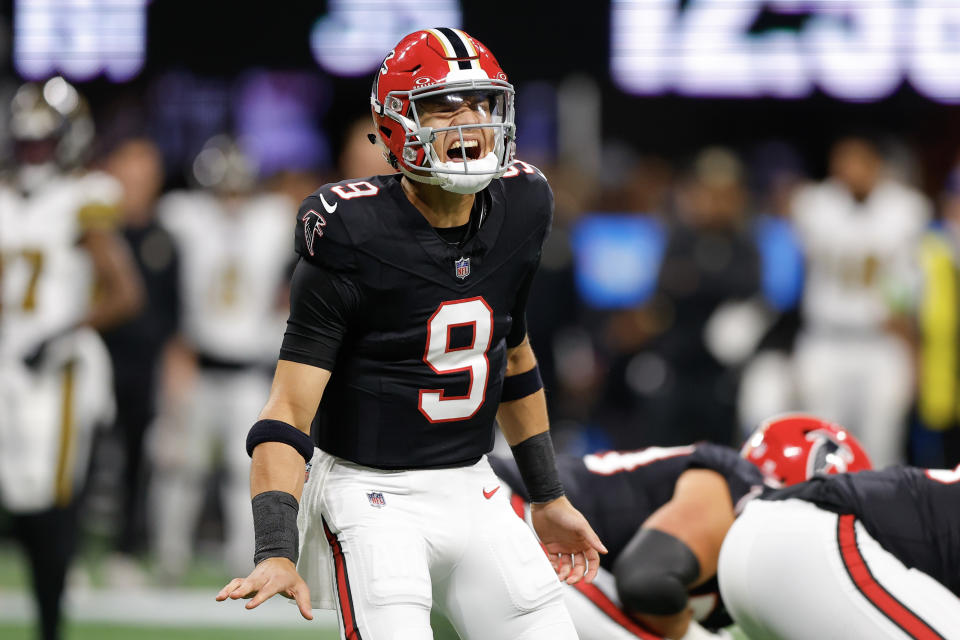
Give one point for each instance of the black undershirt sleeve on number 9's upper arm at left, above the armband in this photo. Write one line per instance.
(322, 303)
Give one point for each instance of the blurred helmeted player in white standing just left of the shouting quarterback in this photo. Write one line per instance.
(235, 251)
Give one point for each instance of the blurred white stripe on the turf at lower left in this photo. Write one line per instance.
(166, 607)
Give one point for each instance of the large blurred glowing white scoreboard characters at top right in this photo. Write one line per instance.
(855, 50)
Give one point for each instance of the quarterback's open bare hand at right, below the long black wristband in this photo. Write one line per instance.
(572, 545)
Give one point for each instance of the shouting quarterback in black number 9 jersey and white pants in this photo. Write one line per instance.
(406, 340)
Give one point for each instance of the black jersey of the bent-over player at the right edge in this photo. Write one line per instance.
(913, 513)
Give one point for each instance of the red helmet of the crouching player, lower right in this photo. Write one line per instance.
(795, 447)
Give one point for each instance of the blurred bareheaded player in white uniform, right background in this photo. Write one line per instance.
(860, 232)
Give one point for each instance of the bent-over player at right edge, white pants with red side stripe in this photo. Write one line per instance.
(874, 554)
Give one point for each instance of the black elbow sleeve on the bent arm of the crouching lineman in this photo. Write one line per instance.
(653, 572)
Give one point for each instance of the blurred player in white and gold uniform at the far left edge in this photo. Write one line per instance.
(64, 274)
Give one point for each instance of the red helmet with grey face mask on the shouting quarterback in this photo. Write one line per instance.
(444, 66)
